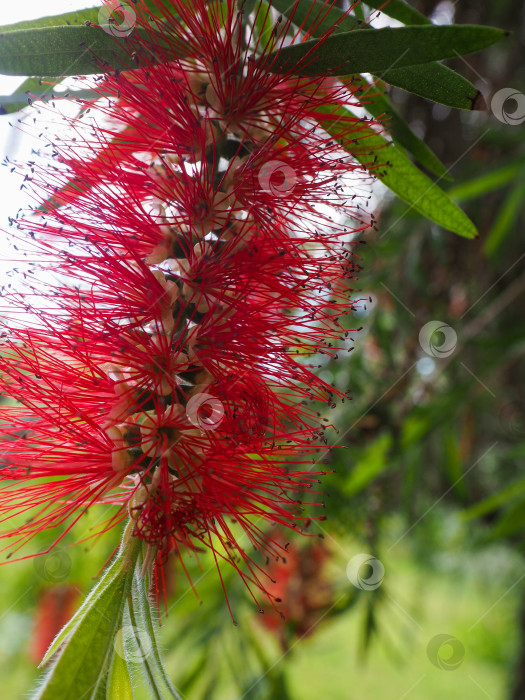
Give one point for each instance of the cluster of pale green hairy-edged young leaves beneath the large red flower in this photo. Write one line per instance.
(109, 647)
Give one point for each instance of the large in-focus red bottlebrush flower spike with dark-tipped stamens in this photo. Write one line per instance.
(192, 254)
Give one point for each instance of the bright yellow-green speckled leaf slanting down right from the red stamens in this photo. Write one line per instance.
(399, 174)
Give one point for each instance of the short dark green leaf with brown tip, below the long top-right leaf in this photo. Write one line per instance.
(438, 83)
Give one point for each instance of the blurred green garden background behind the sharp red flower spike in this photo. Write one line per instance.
(417, 588)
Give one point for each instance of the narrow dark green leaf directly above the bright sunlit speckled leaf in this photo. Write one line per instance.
(380, 106)
